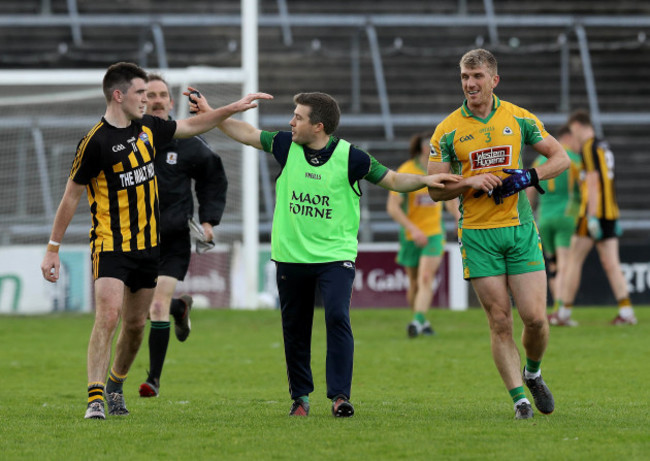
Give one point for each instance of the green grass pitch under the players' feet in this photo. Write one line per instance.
(224, 393)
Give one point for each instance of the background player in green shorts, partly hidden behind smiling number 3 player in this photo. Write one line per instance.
(557, 212)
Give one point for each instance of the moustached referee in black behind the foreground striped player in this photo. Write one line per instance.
(177, 164)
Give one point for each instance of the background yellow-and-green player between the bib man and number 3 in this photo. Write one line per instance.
(422, 235)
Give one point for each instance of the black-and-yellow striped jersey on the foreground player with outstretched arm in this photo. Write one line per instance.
(116, 166)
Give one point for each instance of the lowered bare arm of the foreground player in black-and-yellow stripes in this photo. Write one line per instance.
(51, 263)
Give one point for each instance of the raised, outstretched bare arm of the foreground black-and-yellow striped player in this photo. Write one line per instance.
(209, 119)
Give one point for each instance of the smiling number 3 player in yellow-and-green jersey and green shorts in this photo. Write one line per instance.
(499, 242)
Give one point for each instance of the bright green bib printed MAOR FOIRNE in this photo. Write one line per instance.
(317, 213)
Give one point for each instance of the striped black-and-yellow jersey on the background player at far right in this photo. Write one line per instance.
(597, 156)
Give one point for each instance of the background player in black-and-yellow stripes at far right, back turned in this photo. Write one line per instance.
(597, 223)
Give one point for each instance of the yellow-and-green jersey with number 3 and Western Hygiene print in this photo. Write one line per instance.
(476, 146)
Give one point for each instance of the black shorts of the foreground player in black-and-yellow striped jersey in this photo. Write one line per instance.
(137, 269)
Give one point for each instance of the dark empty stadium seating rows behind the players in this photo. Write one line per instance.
(419, 65)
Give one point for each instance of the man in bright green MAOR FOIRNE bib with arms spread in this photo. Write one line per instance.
(314, 236)
